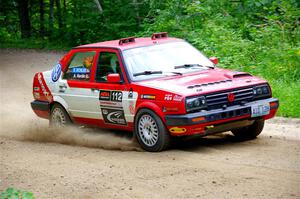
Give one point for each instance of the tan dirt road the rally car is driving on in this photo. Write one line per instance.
(84, 163)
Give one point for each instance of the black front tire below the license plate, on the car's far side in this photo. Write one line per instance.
(249, 132)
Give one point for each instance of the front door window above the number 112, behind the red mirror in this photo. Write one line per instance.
(108, 63)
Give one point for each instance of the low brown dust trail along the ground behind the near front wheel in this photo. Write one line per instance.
(72, 135)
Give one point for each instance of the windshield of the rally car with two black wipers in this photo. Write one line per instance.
(174, 58)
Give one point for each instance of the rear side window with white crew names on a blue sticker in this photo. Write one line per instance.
(80, 66)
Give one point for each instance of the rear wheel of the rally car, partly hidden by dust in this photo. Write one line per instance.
(59, 117)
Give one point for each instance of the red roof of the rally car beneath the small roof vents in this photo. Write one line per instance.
(138, 42)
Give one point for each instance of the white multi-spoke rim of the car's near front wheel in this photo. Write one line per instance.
(148, 130)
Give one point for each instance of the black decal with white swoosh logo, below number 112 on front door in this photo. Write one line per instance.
(113, 116)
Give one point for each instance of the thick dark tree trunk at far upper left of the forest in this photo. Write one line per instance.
(24, 18)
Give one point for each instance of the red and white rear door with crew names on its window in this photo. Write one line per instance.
(77, 87)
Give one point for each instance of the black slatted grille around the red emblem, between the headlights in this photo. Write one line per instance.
(220, 100)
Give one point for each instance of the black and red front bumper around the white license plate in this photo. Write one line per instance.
(195, 123)
